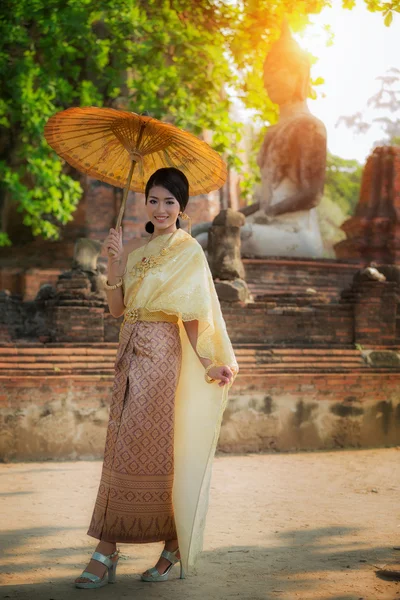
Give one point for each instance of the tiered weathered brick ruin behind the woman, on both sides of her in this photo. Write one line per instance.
(318, 345)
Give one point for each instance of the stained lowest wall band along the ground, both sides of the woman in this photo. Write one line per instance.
(64, 417)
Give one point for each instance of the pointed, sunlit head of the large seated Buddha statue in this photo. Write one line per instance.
(286, 70)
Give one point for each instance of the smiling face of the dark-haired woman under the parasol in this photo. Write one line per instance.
(162, 209)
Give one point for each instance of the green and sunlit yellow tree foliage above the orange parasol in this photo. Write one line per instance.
(173, 58)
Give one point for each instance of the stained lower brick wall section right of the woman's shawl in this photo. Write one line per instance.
(312, 411)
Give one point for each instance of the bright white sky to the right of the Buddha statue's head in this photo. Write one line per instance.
(363, 48)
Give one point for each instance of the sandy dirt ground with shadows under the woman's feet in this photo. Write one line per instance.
(310, 526)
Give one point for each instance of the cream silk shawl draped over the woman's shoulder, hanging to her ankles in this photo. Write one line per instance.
(181, 284)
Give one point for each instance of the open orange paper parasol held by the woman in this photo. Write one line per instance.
(123, 148)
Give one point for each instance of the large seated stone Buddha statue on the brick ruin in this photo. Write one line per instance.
(292, 162)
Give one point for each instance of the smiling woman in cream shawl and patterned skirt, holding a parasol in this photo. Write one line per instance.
(164, 416)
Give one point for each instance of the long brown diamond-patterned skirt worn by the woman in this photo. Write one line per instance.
(134, 500)
